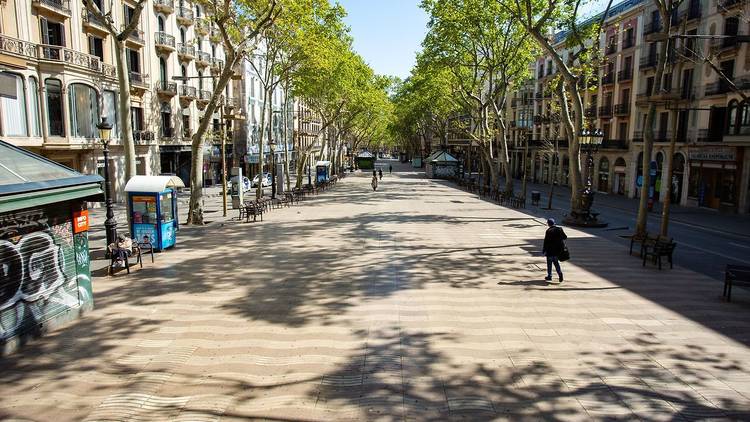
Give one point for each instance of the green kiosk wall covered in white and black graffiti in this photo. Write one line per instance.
(38, 277)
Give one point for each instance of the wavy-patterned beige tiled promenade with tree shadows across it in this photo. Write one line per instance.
(418, 302)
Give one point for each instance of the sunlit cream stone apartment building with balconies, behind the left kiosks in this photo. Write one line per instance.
(59, 78)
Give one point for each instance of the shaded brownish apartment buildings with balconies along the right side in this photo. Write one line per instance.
(709, 121)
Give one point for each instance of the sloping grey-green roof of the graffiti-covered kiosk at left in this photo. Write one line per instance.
(29, 180)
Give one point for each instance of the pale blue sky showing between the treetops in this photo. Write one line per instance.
(389, 33)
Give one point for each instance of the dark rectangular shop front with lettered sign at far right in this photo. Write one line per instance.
(714, 177)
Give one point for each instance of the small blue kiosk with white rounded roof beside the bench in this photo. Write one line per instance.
(152, 202)
